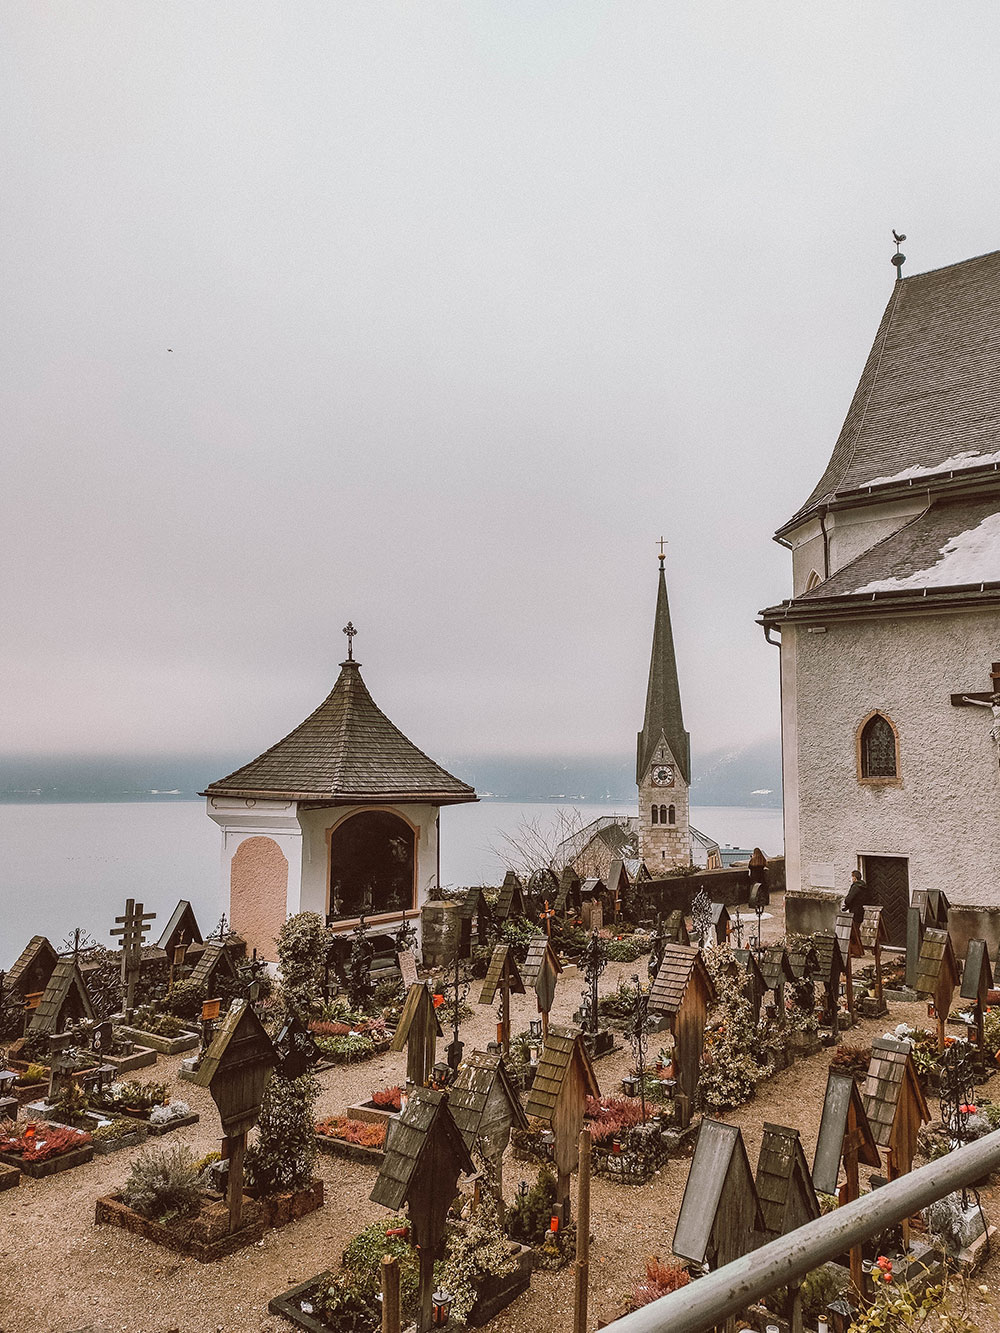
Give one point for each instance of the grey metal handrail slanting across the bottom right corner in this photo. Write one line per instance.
(705, 1304)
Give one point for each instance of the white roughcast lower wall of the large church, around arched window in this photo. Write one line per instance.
(943, 816)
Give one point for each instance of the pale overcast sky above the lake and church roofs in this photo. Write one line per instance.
(437, 317)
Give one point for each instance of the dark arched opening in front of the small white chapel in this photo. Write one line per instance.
(373, 860)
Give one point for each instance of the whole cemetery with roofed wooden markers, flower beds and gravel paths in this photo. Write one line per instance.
(443, 1175)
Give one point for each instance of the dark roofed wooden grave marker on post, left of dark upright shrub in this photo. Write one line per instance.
(237, 1070)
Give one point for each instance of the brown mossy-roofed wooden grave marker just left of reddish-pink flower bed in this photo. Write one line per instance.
(558, 1100)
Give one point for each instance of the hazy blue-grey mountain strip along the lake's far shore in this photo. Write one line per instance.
(747, 775)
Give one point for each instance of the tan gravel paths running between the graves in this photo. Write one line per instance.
(61, 1272)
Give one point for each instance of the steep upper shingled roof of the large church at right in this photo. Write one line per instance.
(931, 387)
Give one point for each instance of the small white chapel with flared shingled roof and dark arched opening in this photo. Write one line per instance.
(341, 818)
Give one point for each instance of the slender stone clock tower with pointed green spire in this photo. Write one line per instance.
(663, 754)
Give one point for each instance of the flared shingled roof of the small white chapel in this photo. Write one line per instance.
(346, 751)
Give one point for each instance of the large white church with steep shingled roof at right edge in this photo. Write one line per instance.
(891, 639)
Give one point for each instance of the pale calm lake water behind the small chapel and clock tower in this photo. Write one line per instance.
(74, 866)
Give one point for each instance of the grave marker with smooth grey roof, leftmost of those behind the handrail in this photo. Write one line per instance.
(721, 1219)
